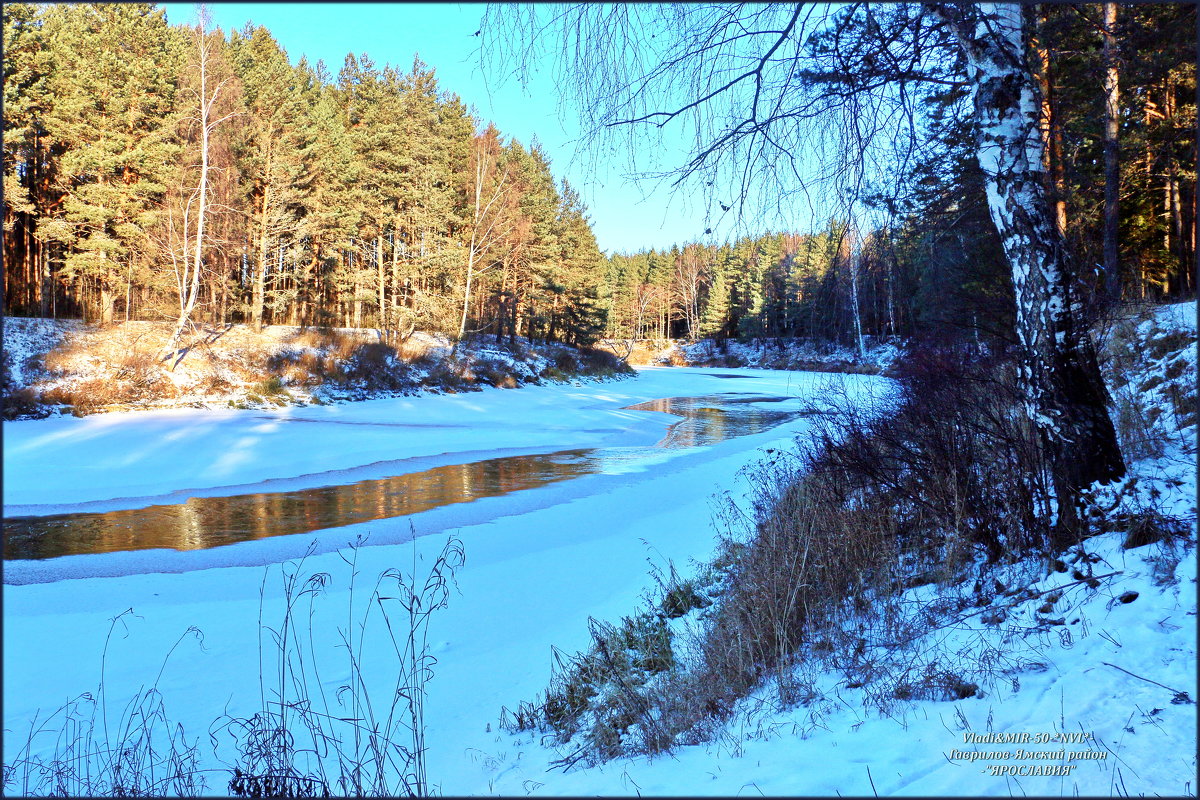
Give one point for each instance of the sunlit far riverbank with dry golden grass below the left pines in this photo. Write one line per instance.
(49, 366)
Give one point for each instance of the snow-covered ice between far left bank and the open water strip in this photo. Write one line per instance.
(129, 459)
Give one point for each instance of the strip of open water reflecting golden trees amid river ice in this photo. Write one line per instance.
(211, 522)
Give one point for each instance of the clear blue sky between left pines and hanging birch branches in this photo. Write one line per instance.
(627, 215)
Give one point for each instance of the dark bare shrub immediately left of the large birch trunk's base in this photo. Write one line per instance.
(957, 459)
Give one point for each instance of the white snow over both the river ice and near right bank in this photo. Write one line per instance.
(539, 564)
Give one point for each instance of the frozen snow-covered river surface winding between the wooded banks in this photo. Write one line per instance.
(541, 560)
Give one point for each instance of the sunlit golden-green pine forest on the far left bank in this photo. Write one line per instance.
(139, 157)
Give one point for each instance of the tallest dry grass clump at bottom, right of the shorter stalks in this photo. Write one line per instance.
(350, 742)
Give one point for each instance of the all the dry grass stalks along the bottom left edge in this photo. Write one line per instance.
(305, 741)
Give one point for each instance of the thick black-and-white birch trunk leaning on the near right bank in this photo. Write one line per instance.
(1065, 393)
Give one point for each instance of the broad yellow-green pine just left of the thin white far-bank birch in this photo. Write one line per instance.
(112, 122)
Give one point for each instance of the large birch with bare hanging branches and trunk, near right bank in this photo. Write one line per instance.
(789, 101)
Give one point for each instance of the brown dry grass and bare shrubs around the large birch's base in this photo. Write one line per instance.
(898, 552)
